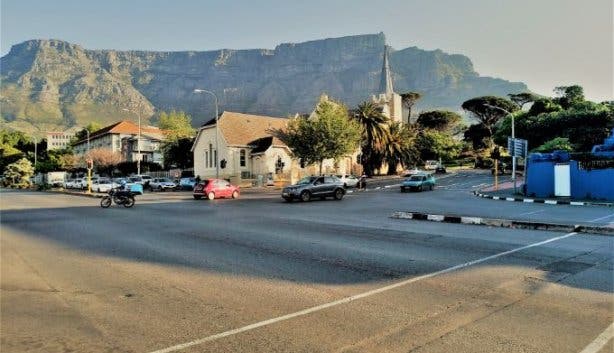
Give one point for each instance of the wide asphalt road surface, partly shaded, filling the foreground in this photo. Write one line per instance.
(259, 275)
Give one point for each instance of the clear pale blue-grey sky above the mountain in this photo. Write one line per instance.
(543, 43)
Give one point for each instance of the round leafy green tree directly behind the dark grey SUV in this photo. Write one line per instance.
(328, 133)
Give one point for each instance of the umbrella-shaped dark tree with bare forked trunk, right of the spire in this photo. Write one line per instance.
(488, 110)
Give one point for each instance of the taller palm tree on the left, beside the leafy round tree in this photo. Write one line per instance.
(375, 134)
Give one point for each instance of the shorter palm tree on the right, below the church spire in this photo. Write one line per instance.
(401, 147)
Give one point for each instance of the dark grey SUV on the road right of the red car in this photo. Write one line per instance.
(314, 186)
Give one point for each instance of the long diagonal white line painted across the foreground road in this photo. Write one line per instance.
(353, 298)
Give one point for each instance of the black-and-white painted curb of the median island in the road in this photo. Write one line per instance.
(503, 223)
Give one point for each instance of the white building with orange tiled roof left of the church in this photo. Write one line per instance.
(123, 137)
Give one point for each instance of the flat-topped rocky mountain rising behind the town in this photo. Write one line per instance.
(52, 84)
